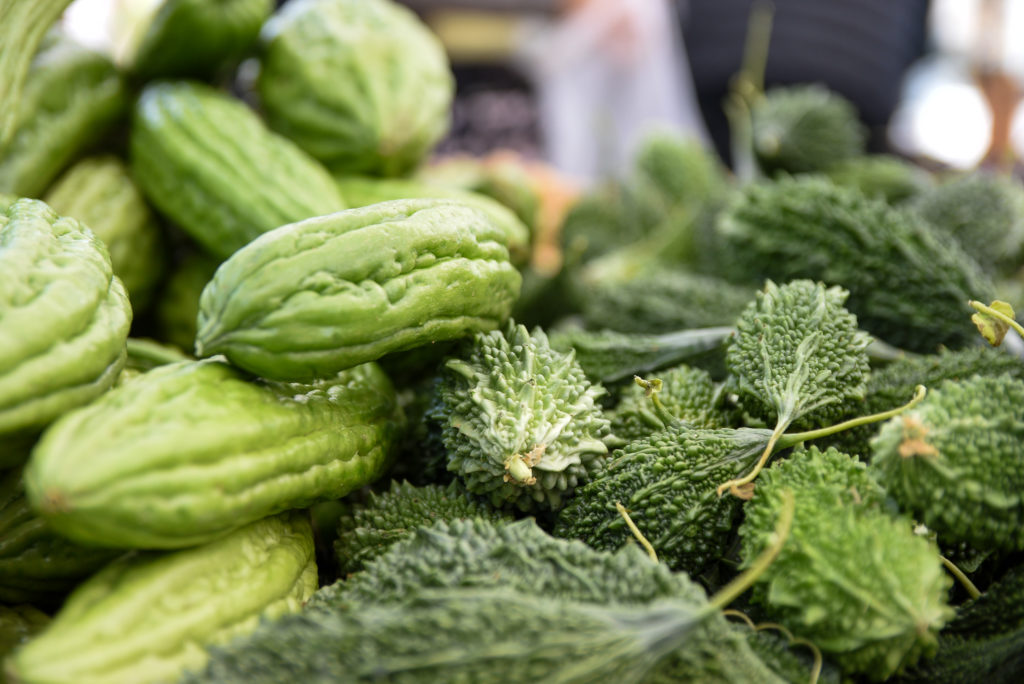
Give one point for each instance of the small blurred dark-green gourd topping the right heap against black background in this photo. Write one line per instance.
(803, 129)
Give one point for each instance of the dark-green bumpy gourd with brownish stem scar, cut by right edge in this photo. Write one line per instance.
(956, 460)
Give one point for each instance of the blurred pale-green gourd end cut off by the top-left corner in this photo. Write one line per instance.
(23, 26)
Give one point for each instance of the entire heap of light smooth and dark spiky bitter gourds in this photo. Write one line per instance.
(284, 400)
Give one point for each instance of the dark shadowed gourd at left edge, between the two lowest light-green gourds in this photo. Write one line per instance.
(36, 565)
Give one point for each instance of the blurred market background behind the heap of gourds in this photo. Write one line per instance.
(578, 83)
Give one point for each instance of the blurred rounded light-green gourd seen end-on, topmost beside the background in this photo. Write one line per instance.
(362, 85)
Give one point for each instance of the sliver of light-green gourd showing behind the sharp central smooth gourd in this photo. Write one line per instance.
(361, 191)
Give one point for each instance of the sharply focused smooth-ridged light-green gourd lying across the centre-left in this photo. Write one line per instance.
(322, 295)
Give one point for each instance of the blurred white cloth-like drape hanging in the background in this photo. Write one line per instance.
(606, 75)
